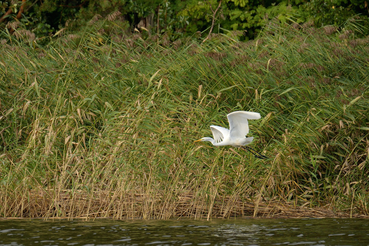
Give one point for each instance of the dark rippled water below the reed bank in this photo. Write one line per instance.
(186, 232)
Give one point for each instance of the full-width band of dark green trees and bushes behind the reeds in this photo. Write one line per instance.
(176, 18)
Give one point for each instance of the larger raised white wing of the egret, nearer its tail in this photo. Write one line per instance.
(238, 124)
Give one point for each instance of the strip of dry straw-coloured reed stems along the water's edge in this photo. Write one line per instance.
(75, 205)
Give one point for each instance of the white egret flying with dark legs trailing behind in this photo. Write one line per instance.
(236, 135)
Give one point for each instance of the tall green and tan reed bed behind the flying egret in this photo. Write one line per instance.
(102, 124)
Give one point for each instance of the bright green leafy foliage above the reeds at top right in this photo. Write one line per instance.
(252, 16)
